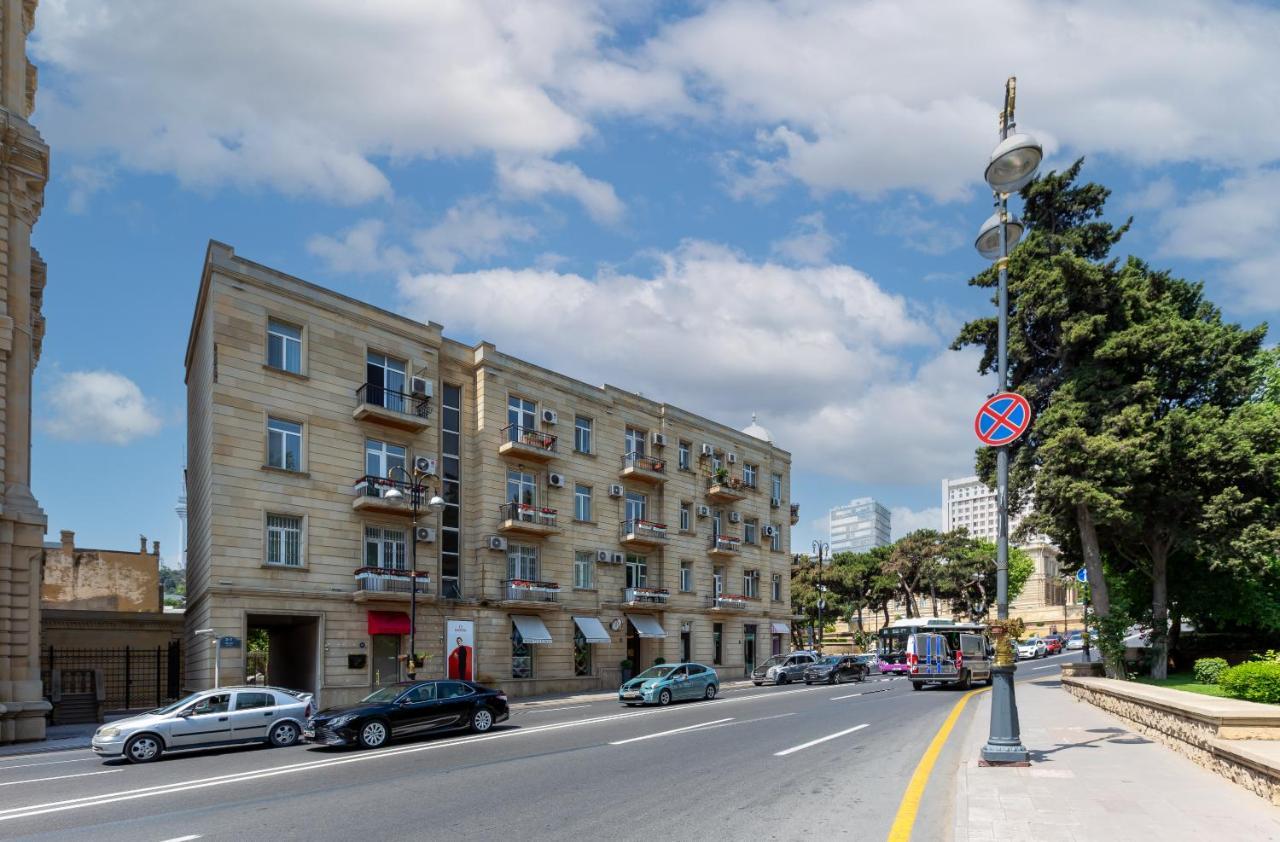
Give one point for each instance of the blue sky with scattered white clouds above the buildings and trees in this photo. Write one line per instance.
(787, 191)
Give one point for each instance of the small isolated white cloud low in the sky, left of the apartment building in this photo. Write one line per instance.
(99, 406)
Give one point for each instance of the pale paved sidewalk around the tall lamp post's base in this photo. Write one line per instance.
(1094, 779)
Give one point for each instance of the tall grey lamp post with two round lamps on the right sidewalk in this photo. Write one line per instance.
(1012, 167)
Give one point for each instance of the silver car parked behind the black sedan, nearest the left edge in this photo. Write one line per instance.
(221, 717)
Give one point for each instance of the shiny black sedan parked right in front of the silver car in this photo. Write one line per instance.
(409, 710)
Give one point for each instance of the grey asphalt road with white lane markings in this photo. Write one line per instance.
(770, 763)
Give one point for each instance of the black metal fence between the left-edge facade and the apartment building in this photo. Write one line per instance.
(134, 678)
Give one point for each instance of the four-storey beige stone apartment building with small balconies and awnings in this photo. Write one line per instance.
(582, 525)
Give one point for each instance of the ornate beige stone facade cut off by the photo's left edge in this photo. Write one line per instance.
(24, 173)
